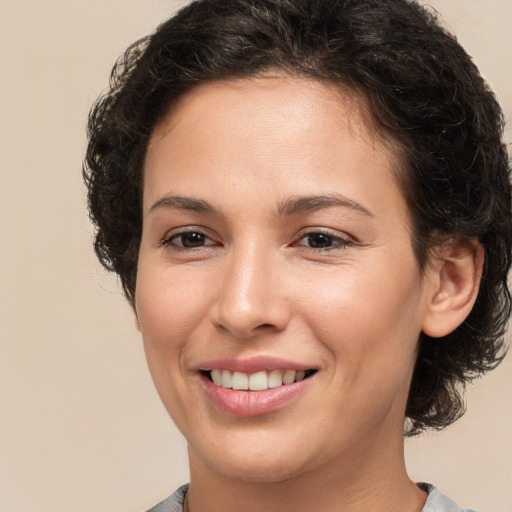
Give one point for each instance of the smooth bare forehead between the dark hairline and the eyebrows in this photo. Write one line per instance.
(273, 135)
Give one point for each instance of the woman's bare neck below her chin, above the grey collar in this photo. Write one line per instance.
(375, 480)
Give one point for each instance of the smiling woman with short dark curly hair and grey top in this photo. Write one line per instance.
(308, 205)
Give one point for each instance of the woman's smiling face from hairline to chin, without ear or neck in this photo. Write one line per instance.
(276, 247)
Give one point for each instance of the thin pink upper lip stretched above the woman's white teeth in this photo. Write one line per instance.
(253, 364)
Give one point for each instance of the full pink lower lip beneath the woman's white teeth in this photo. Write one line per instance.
(252, 403)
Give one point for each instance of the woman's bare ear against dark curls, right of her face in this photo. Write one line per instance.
(456, 272)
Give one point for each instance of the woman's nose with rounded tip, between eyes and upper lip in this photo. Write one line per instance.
(251, 299)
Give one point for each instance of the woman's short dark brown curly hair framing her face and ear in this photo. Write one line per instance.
(425, 94)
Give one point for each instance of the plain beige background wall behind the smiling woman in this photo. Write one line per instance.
(81, 428)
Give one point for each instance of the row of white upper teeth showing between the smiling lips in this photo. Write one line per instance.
(259, 381)
